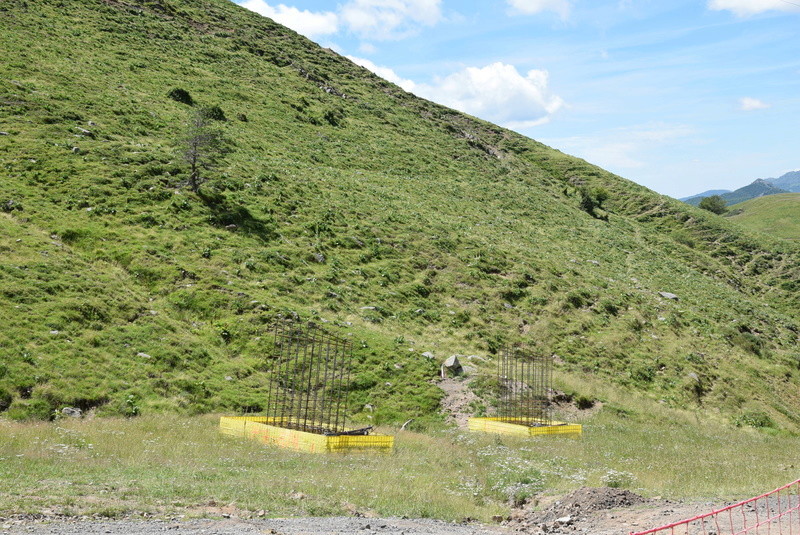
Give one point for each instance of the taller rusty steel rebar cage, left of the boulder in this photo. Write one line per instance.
(310, 379)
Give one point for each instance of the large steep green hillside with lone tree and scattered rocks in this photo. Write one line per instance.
(345, 200)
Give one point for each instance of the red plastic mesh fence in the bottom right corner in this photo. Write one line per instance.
(774, 513)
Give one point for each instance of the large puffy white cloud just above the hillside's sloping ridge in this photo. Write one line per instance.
(497, 93)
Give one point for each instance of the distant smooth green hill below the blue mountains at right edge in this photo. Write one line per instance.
(776, 215)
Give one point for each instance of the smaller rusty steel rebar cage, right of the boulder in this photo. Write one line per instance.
(524, 380)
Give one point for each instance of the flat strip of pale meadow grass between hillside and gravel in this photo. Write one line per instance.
(182, 465)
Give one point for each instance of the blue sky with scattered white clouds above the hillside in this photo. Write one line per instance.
(680, 96)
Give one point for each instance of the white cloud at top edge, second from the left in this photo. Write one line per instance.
(389, 19)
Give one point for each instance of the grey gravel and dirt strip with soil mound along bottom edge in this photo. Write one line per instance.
(597, 511)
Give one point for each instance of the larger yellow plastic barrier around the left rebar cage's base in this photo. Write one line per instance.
(261, 428)
